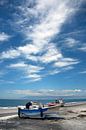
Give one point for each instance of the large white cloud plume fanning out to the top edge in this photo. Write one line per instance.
(50, 17)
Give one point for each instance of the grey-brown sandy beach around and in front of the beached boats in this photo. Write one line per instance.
(70, 118)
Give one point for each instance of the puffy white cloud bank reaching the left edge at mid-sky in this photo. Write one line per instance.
(20, 51)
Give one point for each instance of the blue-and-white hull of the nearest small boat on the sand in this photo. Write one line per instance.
(39, 112)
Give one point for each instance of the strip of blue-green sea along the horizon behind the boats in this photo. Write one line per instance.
(22, 102)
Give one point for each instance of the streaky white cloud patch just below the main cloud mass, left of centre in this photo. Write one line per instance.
(30, 71)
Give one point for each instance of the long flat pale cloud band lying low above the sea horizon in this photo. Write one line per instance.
(49, 92)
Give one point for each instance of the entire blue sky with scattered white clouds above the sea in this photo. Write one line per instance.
(42, 48)
